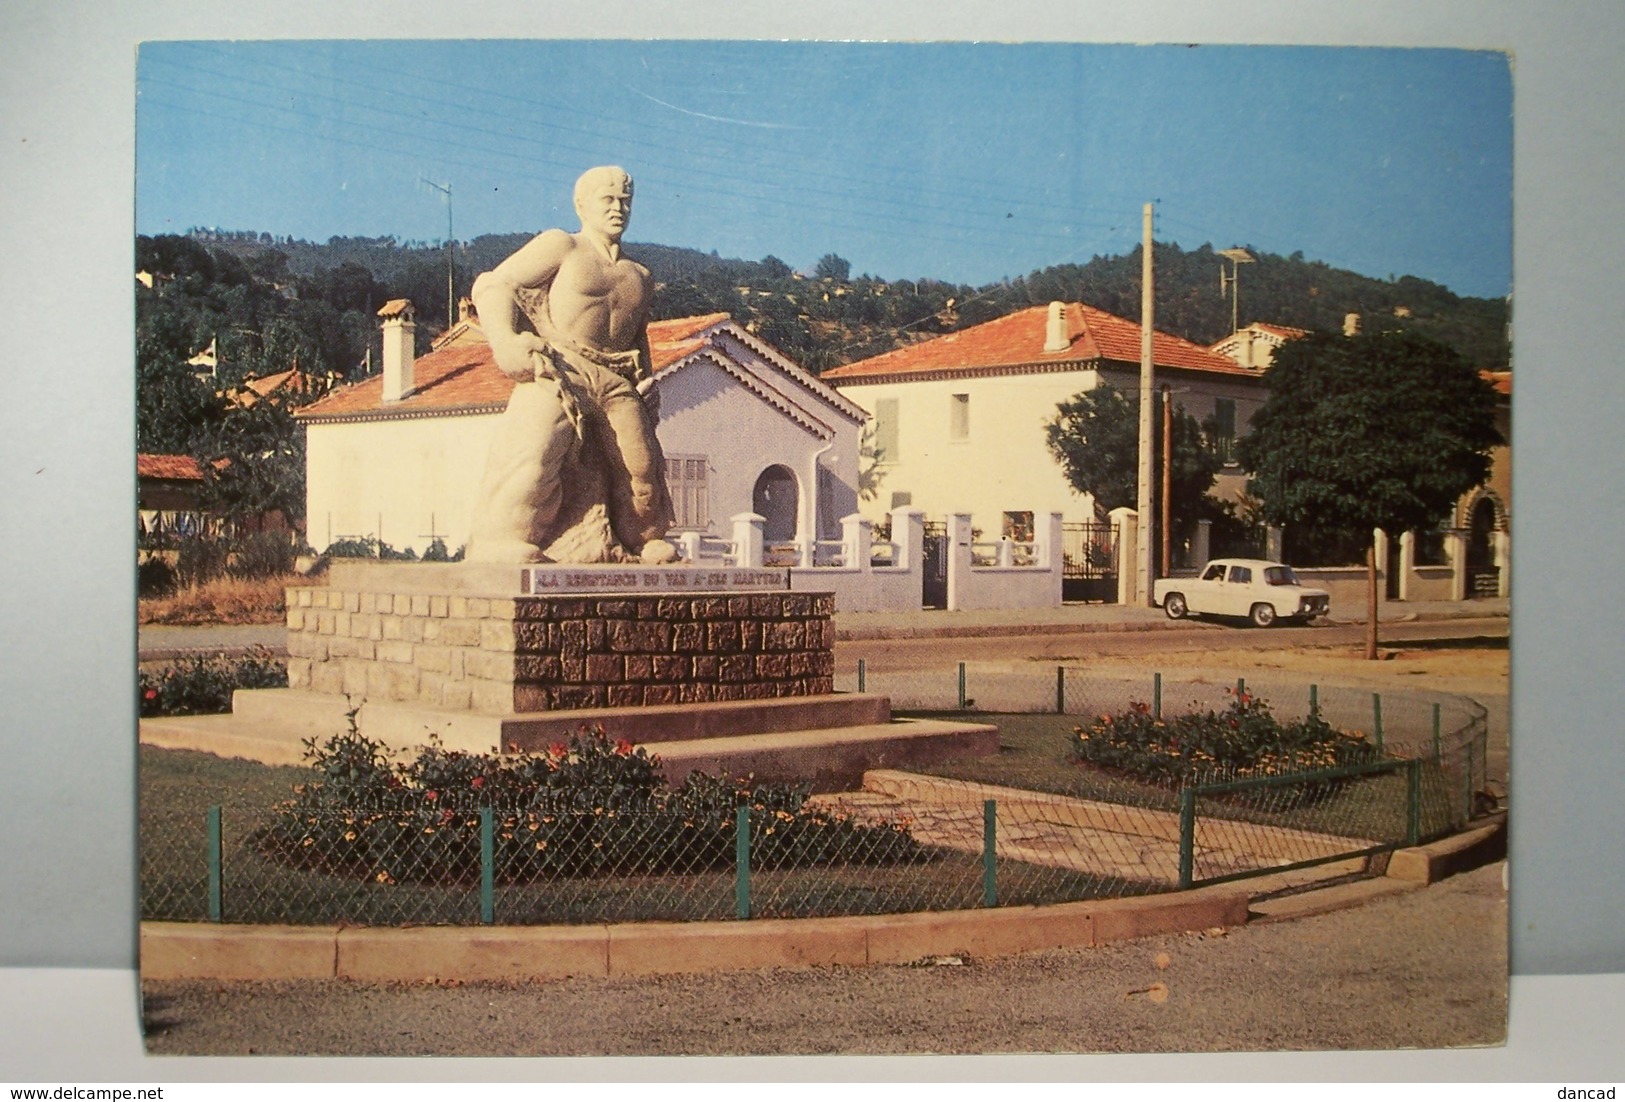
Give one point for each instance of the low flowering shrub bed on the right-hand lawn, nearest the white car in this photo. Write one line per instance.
(1244, 740)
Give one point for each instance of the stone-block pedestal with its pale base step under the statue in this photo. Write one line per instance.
(722, 670)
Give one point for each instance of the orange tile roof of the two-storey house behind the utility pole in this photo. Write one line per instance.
(1018, 341)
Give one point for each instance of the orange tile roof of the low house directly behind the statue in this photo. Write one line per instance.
(467, 376)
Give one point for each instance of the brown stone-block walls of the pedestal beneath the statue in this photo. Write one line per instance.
(544, 654)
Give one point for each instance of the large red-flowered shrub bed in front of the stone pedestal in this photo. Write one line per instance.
(586, 807)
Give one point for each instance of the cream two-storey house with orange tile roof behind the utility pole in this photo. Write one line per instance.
(960, 419)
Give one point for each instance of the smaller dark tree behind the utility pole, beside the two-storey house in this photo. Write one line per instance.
(1096, 440)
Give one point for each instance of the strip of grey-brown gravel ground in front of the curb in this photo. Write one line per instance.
(1419, 971)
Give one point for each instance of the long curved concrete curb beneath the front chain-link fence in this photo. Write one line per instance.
(206, 952)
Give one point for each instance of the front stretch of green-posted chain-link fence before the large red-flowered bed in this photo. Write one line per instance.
(258, 866)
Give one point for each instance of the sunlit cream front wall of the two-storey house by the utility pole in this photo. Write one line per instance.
(1002, 466)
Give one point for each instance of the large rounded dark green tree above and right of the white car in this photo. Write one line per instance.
(1369, 433)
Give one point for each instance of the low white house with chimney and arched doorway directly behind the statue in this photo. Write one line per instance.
(399, 456)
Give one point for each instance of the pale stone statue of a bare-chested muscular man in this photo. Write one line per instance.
(568, 321)
